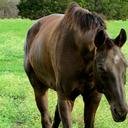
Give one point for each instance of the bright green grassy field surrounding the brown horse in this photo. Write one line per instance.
(17, 105)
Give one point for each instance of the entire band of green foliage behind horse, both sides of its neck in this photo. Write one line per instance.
(111, 9)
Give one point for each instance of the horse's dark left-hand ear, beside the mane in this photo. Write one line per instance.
(99, 39)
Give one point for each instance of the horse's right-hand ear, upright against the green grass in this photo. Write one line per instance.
(121, 38)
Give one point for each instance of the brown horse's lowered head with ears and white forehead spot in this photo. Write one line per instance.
(110, 72)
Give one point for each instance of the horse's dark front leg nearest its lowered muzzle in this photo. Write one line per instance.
(91, 99)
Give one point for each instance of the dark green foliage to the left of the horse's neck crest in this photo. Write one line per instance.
(35, 9)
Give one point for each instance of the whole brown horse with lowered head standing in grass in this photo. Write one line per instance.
(73, 54)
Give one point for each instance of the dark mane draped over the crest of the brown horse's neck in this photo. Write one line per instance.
(77, 17)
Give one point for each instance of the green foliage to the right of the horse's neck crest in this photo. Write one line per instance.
(111, 9)
